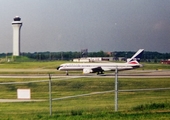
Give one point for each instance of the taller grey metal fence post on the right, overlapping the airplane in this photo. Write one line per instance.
(116, 89)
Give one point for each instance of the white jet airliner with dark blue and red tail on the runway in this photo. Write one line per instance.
(99, 68)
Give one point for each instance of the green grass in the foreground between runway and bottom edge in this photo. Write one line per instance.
(132, 105)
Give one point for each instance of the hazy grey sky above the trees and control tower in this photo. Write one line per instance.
(72, 25)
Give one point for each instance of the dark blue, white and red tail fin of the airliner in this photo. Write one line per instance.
(136, 57)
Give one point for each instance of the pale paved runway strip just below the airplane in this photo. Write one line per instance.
(121, 74)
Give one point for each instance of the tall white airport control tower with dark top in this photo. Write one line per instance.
(16, 24)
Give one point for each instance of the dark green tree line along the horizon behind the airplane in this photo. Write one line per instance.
(45, 56)
